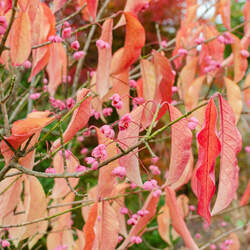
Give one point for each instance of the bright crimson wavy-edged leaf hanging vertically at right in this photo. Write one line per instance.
(209, 149)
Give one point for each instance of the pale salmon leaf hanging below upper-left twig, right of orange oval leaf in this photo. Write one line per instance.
(56, 67)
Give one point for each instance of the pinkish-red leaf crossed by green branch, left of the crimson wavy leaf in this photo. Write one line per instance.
(181, 146)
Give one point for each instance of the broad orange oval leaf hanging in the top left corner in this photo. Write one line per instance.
(20, 39)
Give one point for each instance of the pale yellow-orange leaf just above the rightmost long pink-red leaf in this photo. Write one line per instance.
(234, 97)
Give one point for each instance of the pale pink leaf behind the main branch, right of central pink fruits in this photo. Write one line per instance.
(128, 138)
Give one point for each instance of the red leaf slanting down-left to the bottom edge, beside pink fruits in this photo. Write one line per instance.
(137, 230)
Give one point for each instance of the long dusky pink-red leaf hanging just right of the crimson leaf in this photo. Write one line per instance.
(231, 143)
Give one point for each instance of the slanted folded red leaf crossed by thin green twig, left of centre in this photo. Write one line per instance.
(79, 118)
